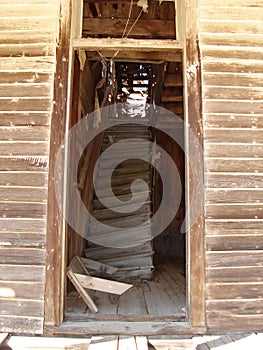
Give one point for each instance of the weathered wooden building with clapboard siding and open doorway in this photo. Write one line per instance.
(209, 57)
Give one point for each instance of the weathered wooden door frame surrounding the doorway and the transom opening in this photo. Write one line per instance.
(69, 39)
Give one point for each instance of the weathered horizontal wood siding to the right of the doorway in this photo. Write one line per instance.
(232, 72)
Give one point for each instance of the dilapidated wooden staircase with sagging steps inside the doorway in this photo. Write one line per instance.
(134, 259)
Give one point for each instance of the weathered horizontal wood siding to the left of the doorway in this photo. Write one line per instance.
(27, 49)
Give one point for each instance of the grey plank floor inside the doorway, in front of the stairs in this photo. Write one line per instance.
(161, 298)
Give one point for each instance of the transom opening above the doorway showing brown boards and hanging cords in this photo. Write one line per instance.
(124, 18)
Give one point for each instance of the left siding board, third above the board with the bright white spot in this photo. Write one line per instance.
(31, 240)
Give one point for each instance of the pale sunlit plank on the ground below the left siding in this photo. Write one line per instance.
(24, 343)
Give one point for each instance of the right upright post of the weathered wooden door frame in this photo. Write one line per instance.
(196, 249)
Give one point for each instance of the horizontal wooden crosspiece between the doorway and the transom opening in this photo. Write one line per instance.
(126, 44)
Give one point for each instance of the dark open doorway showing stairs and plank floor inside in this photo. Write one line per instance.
(154, 266)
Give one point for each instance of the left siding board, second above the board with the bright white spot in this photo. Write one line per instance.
(24, 256)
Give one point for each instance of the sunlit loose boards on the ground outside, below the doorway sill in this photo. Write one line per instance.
(230, 341)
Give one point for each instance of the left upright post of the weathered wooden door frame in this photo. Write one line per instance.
(55, 246)
